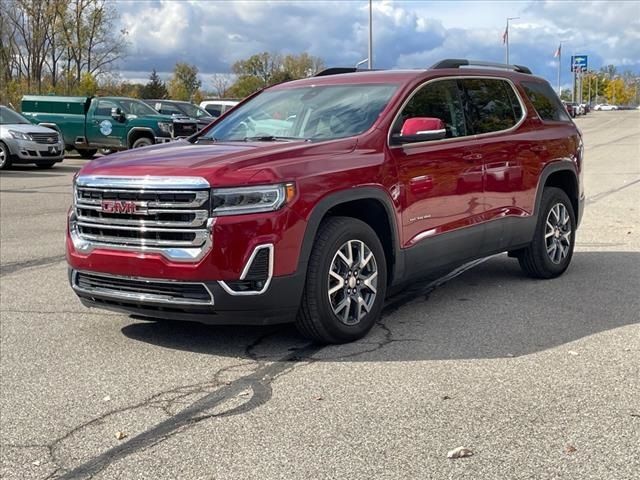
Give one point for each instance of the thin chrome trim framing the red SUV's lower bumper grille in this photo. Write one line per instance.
(138, 297)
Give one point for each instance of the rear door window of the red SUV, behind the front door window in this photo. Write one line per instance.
(491, 105)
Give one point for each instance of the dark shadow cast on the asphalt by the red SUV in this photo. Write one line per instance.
(490, 311)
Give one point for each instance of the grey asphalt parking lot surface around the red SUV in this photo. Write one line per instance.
(539, 379)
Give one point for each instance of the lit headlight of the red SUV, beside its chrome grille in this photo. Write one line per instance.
(264, 198)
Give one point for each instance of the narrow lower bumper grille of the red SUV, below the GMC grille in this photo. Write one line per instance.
(141, 290)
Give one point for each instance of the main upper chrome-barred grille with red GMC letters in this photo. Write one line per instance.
(142, 218)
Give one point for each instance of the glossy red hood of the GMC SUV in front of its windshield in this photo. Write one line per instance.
(220, 163)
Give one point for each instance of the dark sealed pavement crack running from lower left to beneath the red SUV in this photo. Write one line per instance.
(258, 382)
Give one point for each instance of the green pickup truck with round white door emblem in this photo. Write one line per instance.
(110, 123)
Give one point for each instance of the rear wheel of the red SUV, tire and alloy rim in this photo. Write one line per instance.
(556, 226)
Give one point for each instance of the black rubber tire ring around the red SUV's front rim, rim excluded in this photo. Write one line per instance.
(351, 229)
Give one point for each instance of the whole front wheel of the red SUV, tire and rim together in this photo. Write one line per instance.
(321, 317)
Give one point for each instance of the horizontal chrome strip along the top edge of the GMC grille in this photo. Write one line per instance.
(147, 182)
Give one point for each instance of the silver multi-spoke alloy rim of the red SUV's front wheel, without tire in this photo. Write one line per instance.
(352, 282)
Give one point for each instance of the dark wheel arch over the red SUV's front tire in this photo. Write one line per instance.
(371, 205)
